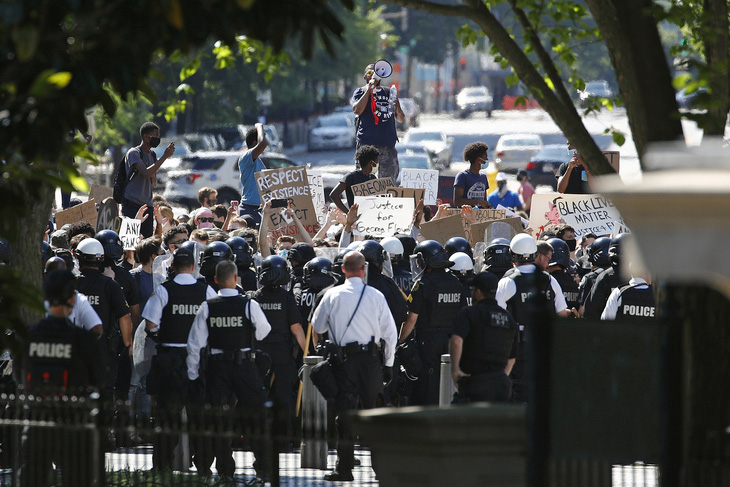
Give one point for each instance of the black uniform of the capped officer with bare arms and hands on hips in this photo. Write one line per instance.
(490, 339)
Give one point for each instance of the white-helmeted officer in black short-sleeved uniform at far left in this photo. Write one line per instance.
(107, 299)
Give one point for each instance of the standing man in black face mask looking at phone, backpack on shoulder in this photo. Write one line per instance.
(143, 162)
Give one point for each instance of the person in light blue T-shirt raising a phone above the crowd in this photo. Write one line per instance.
(249, 164)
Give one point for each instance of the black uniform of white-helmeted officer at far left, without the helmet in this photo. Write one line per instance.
(107, 299)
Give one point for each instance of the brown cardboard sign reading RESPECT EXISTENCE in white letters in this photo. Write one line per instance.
(290, 183)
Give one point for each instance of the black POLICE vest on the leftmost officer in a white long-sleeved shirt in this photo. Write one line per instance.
(183, 302)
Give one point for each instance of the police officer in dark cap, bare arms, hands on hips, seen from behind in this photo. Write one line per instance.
(483, 346)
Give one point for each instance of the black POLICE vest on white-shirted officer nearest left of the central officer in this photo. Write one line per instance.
(228, 327)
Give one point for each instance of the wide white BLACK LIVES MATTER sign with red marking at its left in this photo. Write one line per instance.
(586, 213)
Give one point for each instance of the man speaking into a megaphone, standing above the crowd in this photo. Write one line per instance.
(377, 109)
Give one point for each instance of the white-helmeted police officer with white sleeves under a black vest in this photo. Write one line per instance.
(516, 292)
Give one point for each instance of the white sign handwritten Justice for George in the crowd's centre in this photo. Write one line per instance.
(384, 217)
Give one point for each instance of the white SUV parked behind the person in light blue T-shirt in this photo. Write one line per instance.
(218, 170)
